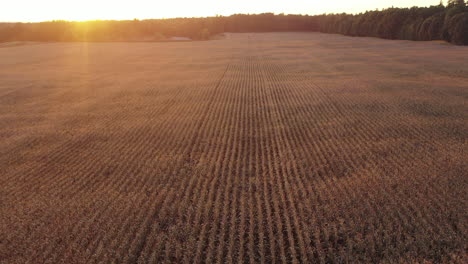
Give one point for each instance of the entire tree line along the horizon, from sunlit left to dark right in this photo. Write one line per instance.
(442, 22)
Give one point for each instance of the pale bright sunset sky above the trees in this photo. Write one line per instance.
(80, 10)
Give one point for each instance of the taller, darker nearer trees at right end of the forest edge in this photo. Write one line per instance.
(439, 22)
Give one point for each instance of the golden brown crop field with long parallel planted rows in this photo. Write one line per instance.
(257, 148)
